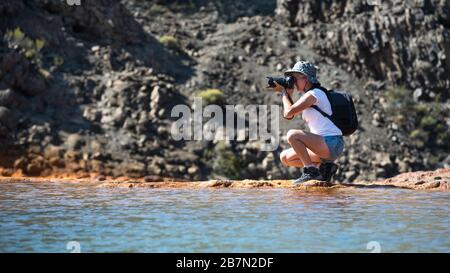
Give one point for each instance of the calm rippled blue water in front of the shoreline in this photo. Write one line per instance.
(46, 217)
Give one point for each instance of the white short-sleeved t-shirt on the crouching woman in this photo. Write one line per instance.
(317, 123)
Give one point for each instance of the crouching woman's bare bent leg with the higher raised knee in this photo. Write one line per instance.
(301, 141)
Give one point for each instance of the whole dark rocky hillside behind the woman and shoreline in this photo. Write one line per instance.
(89, 88)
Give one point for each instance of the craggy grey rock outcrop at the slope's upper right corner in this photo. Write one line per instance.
(401, 42)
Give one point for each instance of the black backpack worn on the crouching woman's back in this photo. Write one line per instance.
(344, 113)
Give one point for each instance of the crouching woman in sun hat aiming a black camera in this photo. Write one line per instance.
(316, 150)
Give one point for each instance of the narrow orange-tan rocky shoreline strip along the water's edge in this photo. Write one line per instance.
(438, 180)
